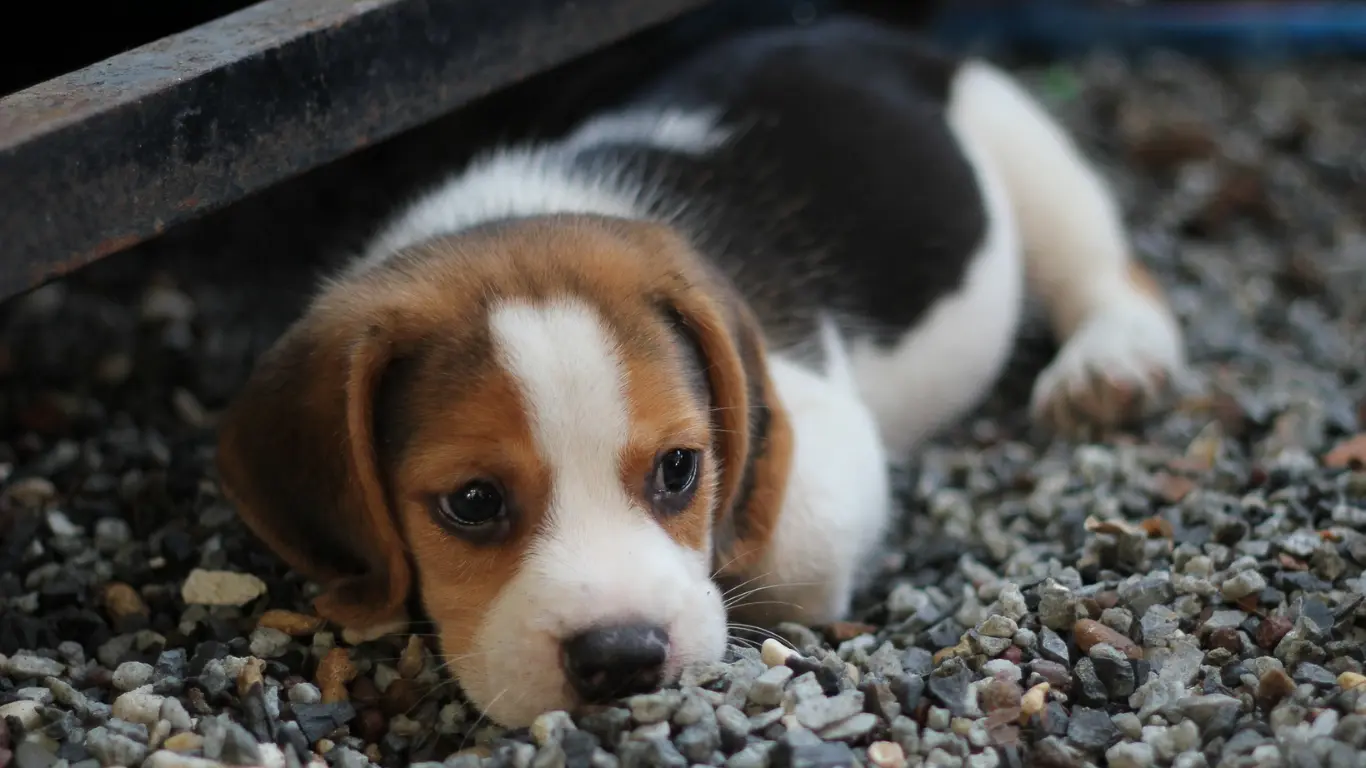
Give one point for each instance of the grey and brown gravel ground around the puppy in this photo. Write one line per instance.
(1190, 595)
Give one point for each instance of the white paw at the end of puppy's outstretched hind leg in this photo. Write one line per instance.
(1118, 367)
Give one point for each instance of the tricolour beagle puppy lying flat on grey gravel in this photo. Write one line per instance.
(592, 397)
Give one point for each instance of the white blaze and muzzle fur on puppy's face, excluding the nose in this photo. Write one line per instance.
(599, 558)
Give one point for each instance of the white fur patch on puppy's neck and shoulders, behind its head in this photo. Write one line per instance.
(543, 180)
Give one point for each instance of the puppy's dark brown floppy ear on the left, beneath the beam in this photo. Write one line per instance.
(298, 458)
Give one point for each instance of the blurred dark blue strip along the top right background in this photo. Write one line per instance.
(1214, 29)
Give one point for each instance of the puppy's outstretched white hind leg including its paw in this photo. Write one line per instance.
(1121, 344)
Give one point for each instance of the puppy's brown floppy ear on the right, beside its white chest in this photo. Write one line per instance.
(753, 434)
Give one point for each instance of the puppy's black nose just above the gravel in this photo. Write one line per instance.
(613, 662)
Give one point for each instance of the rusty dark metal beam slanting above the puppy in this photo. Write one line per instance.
(104, 158)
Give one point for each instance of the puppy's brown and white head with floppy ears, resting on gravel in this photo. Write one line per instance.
(558, 430)
